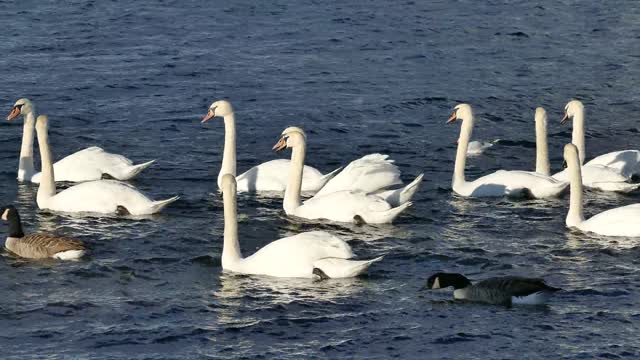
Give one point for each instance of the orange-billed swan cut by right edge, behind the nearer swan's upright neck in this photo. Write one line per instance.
(625, 162)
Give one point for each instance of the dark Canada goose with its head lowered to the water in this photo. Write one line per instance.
(505, 290)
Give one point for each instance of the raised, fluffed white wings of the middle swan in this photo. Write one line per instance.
(368, 174)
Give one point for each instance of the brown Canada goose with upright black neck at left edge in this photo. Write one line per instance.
(38, 246)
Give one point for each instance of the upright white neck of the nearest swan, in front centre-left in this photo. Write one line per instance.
(231, 254)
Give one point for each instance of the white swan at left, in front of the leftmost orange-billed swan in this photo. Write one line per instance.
(98, 196)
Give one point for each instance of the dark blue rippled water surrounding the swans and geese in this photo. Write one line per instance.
(360, 77)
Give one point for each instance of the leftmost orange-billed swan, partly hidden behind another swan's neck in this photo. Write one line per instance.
(92, 163)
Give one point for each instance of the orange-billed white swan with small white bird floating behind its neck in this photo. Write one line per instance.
(501, 182)
